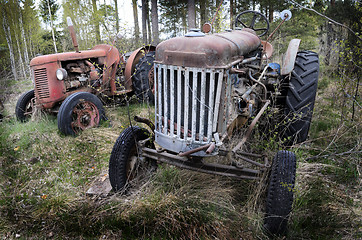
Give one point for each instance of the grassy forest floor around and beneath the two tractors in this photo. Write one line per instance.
(44, 177)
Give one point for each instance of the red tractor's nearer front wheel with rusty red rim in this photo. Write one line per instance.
(79, 111)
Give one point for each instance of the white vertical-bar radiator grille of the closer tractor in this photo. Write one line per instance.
(187, 105)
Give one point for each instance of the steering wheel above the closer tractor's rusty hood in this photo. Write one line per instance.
(256, 20)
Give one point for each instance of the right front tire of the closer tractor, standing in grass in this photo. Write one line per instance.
(280, 193)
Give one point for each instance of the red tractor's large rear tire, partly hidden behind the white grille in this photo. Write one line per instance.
(143, 82)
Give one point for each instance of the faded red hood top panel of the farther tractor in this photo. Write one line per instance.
(97, 51)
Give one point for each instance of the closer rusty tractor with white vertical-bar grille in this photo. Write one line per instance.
(209, 87)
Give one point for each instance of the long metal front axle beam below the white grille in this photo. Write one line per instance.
(200, 166)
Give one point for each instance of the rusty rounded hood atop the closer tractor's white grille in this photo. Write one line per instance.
(196, 49)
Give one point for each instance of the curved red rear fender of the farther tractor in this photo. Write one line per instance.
(132, 62)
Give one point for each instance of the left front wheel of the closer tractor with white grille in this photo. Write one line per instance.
(126, 166)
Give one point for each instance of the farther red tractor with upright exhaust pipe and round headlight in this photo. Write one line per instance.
(71, 83)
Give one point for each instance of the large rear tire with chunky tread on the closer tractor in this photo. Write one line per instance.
(300, 97)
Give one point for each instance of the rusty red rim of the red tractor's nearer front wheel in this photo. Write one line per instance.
(85, 115)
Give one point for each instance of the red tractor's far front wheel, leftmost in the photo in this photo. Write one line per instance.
(25, 106)
